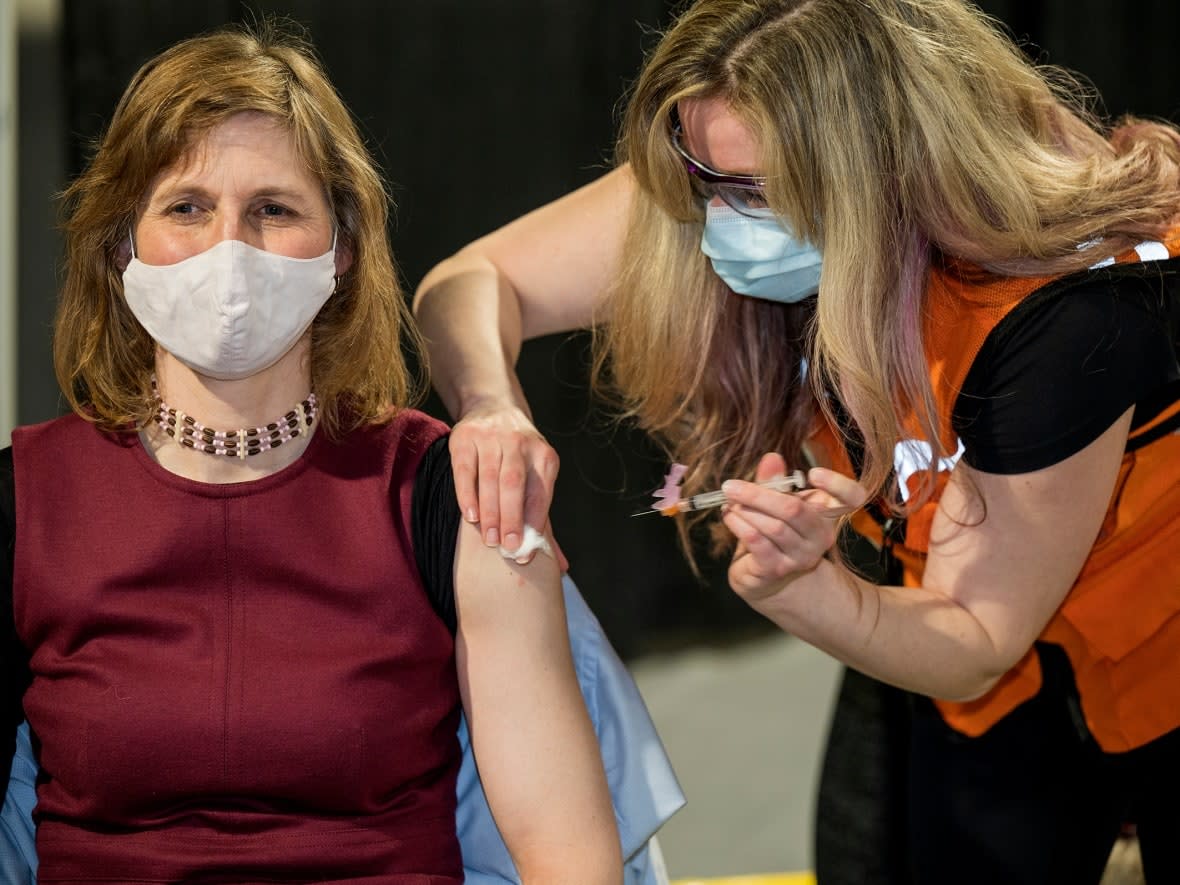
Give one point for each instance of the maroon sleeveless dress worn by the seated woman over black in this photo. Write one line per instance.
(234, 684)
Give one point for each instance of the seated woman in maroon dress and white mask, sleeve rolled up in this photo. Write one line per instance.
(244, 652)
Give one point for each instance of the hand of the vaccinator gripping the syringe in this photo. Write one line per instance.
(784, 536)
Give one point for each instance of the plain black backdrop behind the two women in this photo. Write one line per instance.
(480, 110)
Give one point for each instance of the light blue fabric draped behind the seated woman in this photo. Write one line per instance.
(643, 785)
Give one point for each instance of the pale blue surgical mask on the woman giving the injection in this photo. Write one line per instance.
(758, 257)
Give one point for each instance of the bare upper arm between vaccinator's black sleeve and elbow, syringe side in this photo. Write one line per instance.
(1009, 548)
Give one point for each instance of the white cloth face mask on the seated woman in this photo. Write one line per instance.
(232, 311)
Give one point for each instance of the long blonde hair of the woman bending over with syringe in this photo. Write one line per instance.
(891, 132)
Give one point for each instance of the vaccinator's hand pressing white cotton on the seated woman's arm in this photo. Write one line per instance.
(504, 474)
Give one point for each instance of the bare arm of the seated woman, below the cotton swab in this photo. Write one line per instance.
(534, 743)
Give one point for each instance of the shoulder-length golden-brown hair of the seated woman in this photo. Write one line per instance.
(103, 357)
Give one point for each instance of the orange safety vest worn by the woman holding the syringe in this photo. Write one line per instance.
(1120, 622)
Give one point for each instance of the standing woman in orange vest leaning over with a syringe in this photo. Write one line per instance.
(994, 344)
